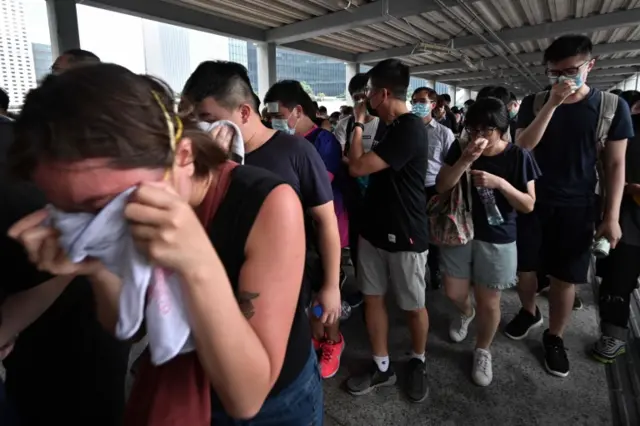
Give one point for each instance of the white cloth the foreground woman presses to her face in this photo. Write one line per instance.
(148, 292)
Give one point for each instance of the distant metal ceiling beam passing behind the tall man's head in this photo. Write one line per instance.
(597, 72)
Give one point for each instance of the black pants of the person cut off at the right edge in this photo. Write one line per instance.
(620, 271)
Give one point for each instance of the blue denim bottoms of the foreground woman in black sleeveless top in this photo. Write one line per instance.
(299, 404)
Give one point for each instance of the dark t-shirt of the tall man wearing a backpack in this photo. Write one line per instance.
(567, 152)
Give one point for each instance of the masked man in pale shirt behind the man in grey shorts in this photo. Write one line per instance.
(439, 139)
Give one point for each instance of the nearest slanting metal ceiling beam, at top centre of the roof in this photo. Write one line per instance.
(368, 14)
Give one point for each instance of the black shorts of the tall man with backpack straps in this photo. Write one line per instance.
(556, 240)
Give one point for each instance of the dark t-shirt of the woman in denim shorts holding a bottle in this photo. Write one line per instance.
(517, 166)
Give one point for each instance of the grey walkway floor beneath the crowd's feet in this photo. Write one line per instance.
(522, 393)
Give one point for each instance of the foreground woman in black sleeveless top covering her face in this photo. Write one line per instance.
(88, 135)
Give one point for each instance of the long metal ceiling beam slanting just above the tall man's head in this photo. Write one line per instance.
(516, 35)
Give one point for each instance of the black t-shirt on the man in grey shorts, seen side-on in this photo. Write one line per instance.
(395, 201)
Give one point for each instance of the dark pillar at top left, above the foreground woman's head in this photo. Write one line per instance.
(63, 26)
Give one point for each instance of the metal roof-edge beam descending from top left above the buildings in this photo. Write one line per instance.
(183, 16)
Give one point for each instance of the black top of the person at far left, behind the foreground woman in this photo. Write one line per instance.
(65, 368)
